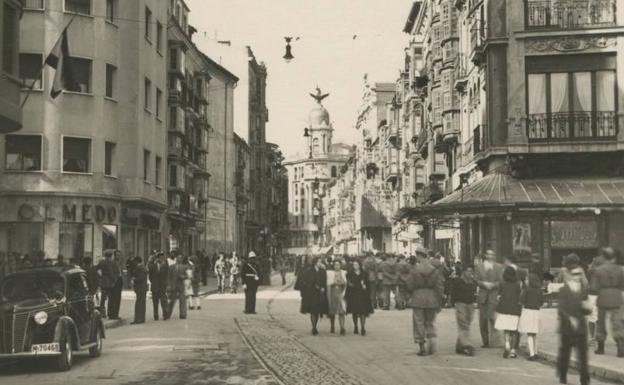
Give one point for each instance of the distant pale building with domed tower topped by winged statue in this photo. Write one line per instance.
(308, 180)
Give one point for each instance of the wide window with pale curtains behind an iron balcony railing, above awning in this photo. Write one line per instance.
(565, 105)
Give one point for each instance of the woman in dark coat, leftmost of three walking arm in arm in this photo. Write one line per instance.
(311, 283)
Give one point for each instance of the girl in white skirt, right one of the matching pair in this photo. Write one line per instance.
(531, 300)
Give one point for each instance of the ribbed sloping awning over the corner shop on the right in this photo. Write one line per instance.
(501, 191)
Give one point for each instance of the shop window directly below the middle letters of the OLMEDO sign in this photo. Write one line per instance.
(76, 241)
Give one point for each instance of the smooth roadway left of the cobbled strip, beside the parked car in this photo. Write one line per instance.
(206, 348)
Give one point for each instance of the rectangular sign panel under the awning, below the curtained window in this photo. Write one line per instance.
(574, 234)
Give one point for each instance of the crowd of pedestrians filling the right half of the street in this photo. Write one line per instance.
(507, 297)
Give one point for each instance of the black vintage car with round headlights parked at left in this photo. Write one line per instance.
(48, 312)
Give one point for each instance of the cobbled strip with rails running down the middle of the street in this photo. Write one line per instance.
(288, 358)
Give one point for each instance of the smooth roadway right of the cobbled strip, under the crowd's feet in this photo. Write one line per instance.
(387, 354)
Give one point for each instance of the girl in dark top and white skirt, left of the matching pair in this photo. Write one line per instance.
(508, 310)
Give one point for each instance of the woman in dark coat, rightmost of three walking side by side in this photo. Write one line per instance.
(358, 297)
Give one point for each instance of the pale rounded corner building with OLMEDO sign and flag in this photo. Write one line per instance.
(86, 172)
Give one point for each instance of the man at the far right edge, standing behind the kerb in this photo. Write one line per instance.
(608, 282)
